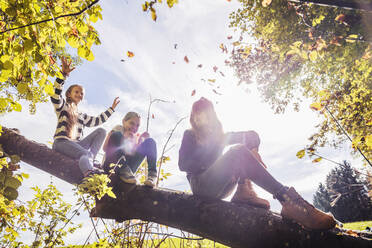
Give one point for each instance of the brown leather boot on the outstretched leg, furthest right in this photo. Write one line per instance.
(294, 207)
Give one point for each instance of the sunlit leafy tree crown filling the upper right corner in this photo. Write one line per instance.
(321, 53)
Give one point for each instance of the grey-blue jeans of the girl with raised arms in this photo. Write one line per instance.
(83, 149)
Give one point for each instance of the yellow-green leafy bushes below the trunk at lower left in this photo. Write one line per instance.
(45, 216)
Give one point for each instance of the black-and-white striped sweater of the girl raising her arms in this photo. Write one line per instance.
(61, 107)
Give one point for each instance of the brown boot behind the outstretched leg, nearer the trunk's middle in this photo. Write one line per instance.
(245, 194)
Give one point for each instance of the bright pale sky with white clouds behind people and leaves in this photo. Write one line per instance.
(198, 28)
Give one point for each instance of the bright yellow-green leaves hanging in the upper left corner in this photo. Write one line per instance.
(29, 51)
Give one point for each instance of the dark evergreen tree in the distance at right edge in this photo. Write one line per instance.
(345, 195)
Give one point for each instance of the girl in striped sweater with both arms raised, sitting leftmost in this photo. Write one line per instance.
(67, 138)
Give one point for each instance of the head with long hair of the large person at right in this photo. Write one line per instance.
(214, 130)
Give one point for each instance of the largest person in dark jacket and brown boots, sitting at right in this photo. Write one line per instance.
(214, 174)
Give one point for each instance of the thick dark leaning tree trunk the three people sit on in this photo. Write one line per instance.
(228, 223)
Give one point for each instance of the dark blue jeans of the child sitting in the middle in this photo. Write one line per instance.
(147, 149)
